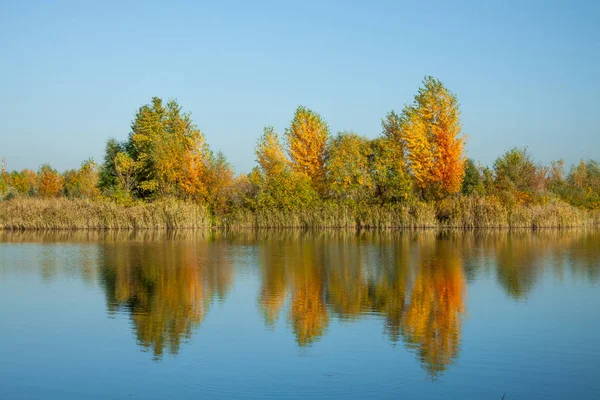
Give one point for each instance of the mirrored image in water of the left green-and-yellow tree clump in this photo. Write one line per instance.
(165, 287)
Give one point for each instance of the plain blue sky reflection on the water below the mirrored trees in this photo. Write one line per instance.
(56, 340)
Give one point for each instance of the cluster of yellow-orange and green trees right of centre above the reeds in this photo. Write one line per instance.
(419, 155)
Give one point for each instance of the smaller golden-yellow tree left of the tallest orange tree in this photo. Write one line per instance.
(307, 139)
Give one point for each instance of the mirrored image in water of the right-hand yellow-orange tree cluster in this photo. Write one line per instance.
(415, 281)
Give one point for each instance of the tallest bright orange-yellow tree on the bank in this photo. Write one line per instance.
(431, 132)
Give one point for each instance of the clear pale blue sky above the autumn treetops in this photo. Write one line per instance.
(74, 73)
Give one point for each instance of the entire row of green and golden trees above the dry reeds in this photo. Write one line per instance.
(418, 156)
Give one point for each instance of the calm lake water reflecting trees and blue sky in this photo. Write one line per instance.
(291, 314)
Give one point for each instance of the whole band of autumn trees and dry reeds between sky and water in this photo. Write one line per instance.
(414, 174)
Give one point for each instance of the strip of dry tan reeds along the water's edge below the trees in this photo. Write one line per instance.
(461, 212)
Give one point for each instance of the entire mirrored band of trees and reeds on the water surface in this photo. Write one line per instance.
(415, 283)
